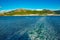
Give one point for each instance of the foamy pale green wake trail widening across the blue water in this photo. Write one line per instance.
(43, 31)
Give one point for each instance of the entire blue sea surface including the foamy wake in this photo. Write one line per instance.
(30, 28)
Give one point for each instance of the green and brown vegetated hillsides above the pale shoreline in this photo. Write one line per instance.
(28, 12)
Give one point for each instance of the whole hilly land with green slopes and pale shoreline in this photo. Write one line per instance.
(27, 12)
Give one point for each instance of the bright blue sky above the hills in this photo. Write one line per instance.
(29, 4)
